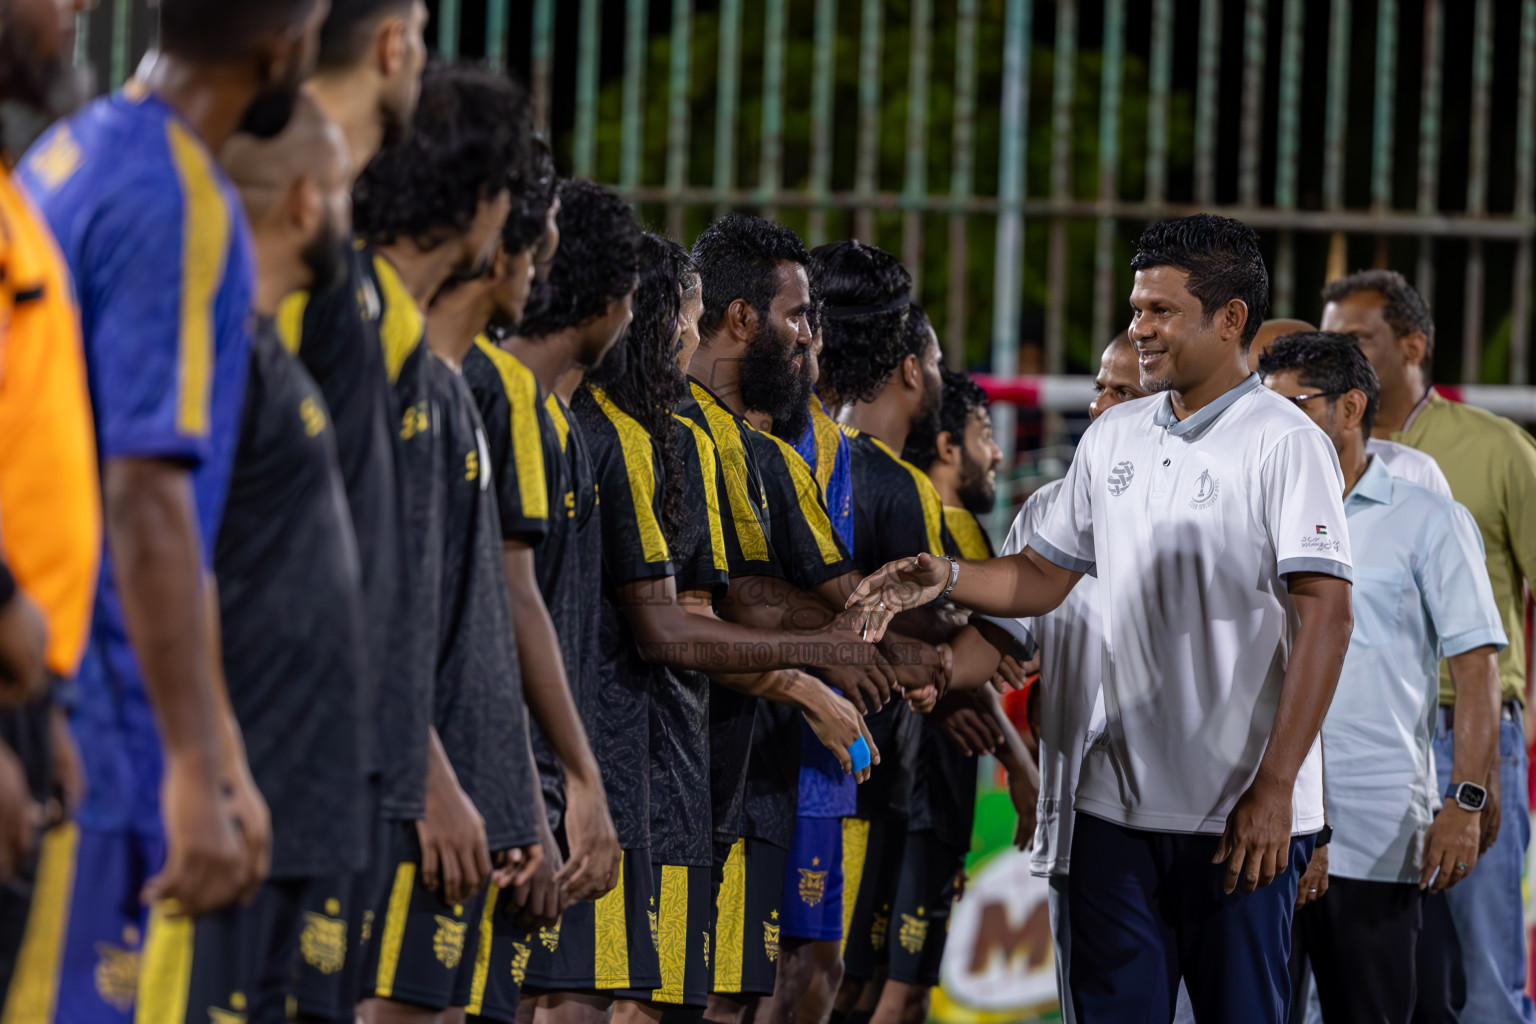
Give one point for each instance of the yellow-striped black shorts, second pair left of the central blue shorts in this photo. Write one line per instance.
(683, 933)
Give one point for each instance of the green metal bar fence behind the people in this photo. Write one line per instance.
(1011, 150)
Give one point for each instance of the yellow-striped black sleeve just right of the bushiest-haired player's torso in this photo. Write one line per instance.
(512, 412)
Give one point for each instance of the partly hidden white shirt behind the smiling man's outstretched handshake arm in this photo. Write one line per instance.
(1071, 705)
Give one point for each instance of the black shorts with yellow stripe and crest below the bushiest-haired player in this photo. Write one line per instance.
(423, 950)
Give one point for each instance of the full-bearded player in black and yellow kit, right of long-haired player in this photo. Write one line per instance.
(756, 331)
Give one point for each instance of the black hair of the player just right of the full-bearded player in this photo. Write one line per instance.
(867, 296)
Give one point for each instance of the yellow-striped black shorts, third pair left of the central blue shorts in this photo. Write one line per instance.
(603, 946)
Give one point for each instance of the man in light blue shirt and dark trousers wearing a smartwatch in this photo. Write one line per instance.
(1422, 593)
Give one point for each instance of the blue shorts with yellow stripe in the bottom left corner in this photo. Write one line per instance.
(82, 950)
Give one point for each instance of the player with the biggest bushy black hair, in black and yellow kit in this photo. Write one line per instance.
(435, 208)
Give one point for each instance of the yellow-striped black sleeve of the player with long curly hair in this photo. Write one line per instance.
(629, 474)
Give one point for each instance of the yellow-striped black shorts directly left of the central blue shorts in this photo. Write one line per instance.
(747, 920)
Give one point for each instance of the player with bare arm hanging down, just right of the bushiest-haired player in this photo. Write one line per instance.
(526, 460)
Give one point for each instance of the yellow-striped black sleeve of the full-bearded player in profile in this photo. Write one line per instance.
(804, 540)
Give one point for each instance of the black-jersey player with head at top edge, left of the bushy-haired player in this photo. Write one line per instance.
(368, 82)
